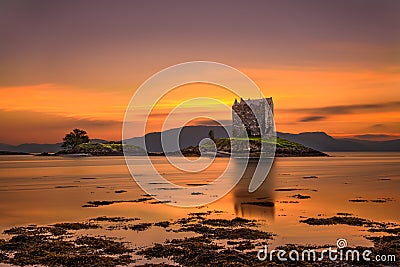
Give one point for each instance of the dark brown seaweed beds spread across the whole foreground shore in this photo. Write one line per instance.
(215, 242)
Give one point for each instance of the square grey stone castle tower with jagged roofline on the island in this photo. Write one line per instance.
(246, 120)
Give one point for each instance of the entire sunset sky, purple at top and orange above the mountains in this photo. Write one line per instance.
(331, 66)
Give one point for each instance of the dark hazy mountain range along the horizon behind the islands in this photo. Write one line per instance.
(192, 135)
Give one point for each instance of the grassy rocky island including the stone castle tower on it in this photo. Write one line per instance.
(252, 120)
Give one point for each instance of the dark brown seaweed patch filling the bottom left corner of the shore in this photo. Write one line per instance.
(35, 245)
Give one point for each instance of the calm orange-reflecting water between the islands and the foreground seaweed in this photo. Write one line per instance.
(45, 190)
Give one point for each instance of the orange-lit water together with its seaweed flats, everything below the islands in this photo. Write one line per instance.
(53, 215)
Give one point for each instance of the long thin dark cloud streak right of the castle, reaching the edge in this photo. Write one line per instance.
(350, 109)
